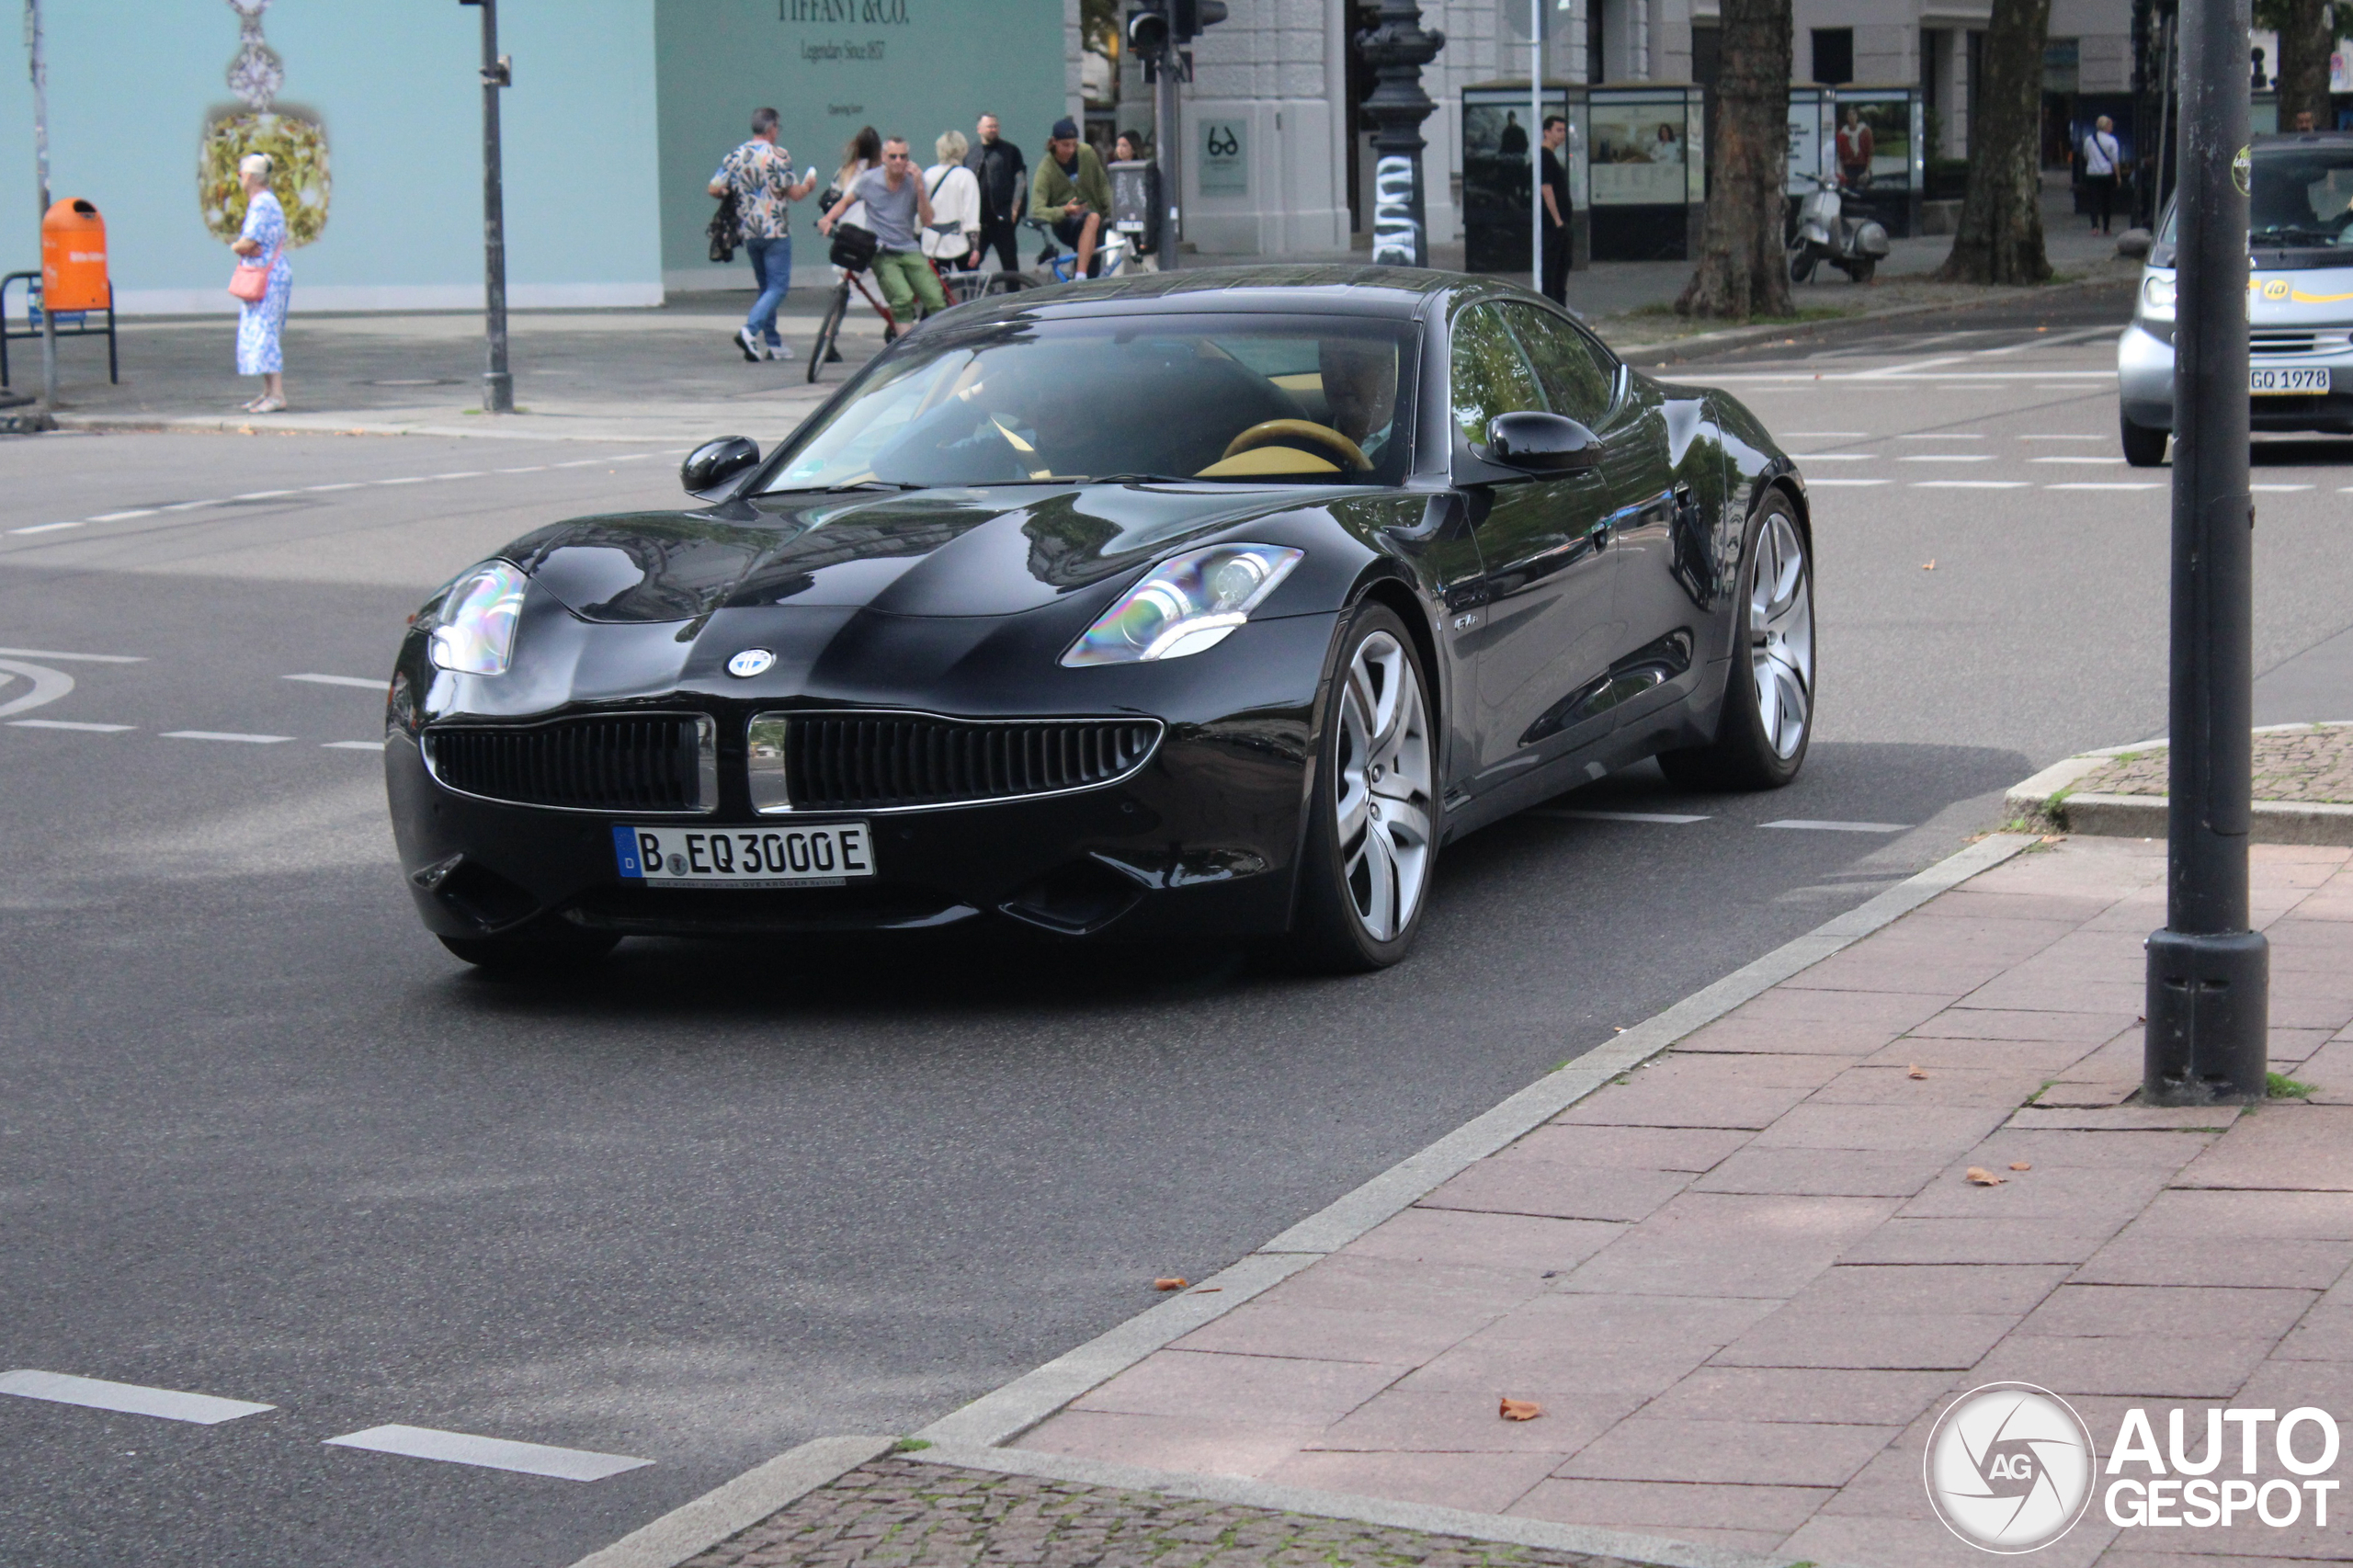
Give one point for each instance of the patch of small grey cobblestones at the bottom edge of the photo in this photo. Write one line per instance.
(907, 1513)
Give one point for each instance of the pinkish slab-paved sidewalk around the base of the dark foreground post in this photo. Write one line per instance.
(1745, 1280)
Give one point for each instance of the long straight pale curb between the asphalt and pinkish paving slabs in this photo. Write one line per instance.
(1029, 1400)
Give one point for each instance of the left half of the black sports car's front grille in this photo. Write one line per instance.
(601, 764)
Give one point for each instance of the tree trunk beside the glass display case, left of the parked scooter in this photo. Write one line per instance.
(1742, 260)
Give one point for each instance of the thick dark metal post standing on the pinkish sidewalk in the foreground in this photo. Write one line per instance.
(2208, 974)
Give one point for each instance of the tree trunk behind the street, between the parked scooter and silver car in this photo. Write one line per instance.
(2001, 213)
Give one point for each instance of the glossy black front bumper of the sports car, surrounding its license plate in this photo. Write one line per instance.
(1201, 839)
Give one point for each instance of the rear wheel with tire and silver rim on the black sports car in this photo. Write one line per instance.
(1768, 717)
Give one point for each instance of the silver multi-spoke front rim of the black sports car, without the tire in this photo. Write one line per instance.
(1382, 788)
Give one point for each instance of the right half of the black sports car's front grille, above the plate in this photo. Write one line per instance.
(909, 762)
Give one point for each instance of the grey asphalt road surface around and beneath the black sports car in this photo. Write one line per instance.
(260, 1138)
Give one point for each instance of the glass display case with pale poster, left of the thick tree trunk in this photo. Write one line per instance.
(1648, 171)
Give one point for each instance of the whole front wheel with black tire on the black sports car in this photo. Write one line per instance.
(1373, 811)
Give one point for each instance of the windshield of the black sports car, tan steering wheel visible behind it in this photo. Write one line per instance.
(1239, 399)
